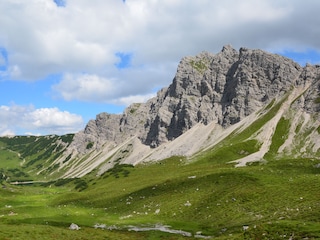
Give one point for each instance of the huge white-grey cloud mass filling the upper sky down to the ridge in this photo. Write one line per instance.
(82, 39)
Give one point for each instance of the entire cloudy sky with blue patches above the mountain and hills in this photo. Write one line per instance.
(62, 62)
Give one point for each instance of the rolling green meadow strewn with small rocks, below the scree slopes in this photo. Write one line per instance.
(277, 200)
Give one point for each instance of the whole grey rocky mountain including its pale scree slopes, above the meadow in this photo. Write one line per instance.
(253, 104)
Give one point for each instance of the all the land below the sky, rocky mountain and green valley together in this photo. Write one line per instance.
(230, 150)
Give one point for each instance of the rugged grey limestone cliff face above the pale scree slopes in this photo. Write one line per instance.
(222, 88)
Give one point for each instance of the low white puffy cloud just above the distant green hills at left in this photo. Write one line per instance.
(40, 121)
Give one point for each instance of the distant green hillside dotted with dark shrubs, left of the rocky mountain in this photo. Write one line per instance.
(22, 157)
